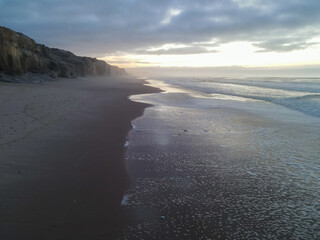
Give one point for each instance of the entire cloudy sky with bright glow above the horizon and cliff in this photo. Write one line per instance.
(174, 33)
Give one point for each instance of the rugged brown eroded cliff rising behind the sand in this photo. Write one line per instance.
(20, 54)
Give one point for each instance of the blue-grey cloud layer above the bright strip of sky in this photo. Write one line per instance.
(99, 27)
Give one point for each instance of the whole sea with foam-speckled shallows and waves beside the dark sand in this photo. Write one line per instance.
(226, 158)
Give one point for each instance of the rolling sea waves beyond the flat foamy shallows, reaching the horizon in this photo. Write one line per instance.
(301, 94)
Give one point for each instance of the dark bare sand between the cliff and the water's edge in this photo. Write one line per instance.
(61, 146)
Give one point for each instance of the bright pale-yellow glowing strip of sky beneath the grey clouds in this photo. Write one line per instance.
(230, 54)
